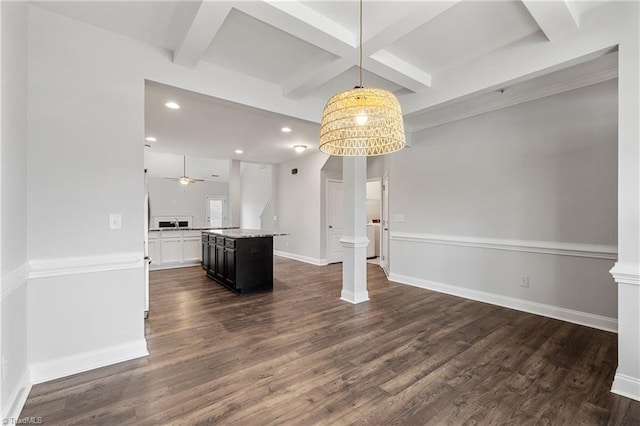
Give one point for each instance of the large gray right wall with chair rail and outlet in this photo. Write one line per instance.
(543, 171)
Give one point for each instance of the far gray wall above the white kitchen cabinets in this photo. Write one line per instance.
(170, 198)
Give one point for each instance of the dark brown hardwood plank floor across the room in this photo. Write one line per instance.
(300, 356)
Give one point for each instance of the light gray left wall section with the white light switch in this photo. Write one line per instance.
(85, 114)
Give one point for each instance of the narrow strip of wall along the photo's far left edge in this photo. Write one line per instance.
(13, 191)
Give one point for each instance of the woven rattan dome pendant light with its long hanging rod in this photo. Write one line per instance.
(362, 121)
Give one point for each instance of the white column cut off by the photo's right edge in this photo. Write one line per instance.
(626, 271)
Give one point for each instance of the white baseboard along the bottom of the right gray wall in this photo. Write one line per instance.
(564, 314)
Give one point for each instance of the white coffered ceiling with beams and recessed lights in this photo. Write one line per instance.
(309, 51)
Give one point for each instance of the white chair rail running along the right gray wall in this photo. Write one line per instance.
(596, 251)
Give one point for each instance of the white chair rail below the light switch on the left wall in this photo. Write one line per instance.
(86, 264)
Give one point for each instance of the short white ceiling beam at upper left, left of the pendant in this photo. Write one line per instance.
(203, 28)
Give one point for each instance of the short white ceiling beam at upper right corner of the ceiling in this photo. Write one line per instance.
(555, 18)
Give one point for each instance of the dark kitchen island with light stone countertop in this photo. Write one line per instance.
(239, 259)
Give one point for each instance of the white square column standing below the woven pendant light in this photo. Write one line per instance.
(354, 239)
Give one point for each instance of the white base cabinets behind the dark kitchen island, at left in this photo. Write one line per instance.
(174, 248)
